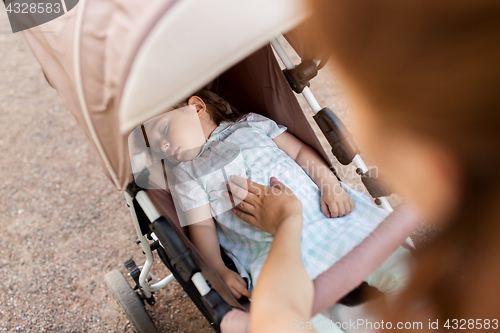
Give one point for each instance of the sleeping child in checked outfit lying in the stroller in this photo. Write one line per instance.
(205, 142)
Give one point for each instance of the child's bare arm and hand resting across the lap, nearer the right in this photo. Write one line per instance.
(335, 202)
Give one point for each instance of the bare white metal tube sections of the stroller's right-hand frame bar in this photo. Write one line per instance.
(315, 106)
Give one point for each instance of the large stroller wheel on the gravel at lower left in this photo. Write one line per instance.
(130, 302)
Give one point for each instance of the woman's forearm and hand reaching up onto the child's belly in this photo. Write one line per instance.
(276, 210)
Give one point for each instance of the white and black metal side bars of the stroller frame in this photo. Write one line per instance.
(150, 224)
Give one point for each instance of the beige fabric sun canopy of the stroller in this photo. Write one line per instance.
(117, 64)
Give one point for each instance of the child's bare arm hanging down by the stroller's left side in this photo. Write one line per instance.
(204, 236)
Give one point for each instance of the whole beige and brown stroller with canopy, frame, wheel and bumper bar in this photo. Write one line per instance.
(119, 64)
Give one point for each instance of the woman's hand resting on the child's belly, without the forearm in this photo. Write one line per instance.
(262, 206)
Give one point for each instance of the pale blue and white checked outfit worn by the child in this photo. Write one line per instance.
(246, 148)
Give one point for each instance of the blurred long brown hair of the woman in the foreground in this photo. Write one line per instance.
(433, 67)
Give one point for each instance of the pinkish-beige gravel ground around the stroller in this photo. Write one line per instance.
(63, 225)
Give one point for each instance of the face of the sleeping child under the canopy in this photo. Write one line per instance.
(177, 134)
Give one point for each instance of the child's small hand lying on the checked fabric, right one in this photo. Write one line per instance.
(335, 202)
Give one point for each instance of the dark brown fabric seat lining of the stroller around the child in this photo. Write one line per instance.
(254, 93)
